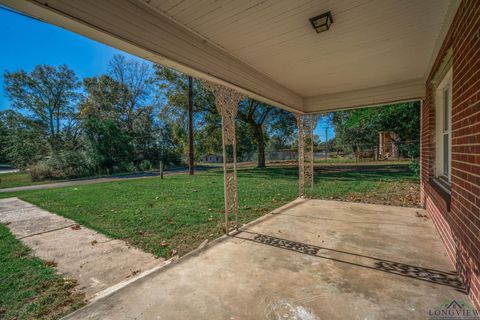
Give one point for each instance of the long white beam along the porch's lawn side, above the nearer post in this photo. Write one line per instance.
(135, 27)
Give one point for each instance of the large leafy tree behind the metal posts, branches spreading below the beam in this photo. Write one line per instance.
(257, 121)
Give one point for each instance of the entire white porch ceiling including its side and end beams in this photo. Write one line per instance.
(376, 51)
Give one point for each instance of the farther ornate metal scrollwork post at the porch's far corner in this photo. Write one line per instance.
(306, 125)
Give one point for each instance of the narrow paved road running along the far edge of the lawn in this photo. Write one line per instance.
(121, 177)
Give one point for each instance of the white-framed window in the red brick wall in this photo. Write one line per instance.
(443, 125)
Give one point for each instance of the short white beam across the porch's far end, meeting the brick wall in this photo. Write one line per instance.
(398, 92)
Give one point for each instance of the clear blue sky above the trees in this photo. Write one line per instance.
(27, 42)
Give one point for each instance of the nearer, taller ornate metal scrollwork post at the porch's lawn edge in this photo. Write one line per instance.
(226, 101)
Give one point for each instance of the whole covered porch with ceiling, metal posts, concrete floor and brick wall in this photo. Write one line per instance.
(314, 259)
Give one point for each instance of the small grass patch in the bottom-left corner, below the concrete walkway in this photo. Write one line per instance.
(28, 288)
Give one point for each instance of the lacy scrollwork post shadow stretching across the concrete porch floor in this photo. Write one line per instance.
(450, 279)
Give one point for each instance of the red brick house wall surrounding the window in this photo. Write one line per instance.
(459, 225)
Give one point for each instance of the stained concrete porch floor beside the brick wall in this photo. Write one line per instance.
(311, 259)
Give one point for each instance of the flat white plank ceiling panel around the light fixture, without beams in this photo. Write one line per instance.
(371, 43)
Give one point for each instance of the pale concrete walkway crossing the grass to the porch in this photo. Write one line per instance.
(94, 260)
